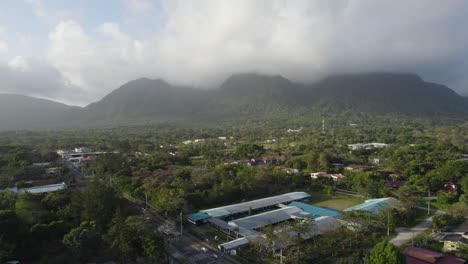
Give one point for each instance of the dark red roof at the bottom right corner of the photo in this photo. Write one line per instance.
(417, 255)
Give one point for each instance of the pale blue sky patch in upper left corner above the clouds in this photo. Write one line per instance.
(31, 21)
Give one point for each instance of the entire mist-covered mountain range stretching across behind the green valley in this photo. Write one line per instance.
(241, 96)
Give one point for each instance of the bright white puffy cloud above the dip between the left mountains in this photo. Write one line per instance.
(95, 66)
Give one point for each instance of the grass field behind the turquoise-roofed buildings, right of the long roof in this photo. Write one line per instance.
(336, 201)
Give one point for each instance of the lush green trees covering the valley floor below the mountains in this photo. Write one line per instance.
(96, 223)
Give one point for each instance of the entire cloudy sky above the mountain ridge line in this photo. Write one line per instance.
(76, 52)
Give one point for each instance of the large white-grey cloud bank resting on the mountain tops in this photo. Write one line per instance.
(201, 42)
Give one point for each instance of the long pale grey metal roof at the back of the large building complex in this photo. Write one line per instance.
(255, 204)
